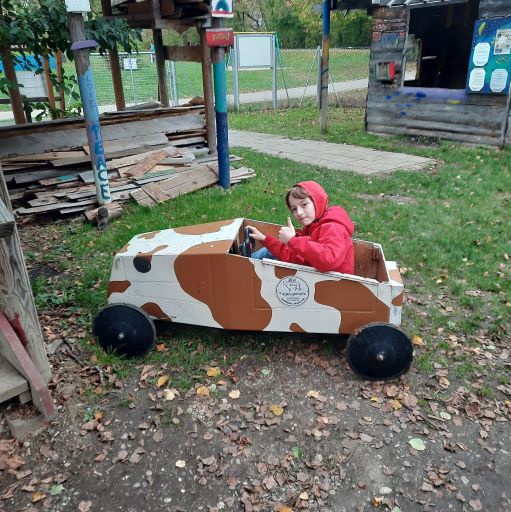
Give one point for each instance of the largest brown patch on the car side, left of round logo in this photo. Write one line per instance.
(227, 284)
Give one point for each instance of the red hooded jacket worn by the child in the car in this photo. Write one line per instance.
(325, 244)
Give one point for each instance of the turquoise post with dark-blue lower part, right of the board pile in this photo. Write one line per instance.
(222, 133)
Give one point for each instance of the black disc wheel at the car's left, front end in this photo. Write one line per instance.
(125, 330)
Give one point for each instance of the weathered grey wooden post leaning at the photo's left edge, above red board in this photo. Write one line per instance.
(16, 300)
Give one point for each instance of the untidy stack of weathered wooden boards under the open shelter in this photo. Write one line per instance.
(152, 156)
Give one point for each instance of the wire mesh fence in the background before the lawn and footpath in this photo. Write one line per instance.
(298, 74)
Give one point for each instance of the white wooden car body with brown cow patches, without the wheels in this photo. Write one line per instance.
(194, 275)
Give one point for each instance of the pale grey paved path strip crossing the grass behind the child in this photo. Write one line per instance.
(338, 157)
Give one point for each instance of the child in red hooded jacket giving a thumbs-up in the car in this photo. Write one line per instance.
(324, 242)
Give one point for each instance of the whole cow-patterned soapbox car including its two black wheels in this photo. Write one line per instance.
(204, 275)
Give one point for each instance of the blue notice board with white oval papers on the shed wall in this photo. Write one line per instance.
(489, 69)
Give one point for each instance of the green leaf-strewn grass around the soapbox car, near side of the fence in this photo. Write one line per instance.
(452, 242)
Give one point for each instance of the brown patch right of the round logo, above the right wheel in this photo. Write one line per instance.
(356, 303)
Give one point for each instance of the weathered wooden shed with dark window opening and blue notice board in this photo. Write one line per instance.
(441, 69)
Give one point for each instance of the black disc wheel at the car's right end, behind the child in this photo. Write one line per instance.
(379, 352)
